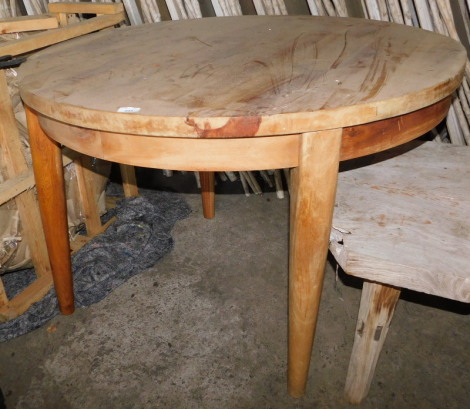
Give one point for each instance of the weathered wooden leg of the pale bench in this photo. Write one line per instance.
(378, 304)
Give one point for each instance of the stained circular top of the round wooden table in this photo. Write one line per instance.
(241, 76)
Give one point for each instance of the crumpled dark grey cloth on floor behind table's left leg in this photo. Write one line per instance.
(136, 241)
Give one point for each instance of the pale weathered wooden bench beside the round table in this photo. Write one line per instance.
(402, 222)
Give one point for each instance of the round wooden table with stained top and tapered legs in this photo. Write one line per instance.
(238, 93)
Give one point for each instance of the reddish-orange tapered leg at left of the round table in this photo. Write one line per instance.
(48, 171)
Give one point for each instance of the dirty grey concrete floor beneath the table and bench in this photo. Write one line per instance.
(206, 328)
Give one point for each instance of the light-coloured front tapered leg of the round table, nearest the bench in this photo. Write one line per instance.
(313, 189)
